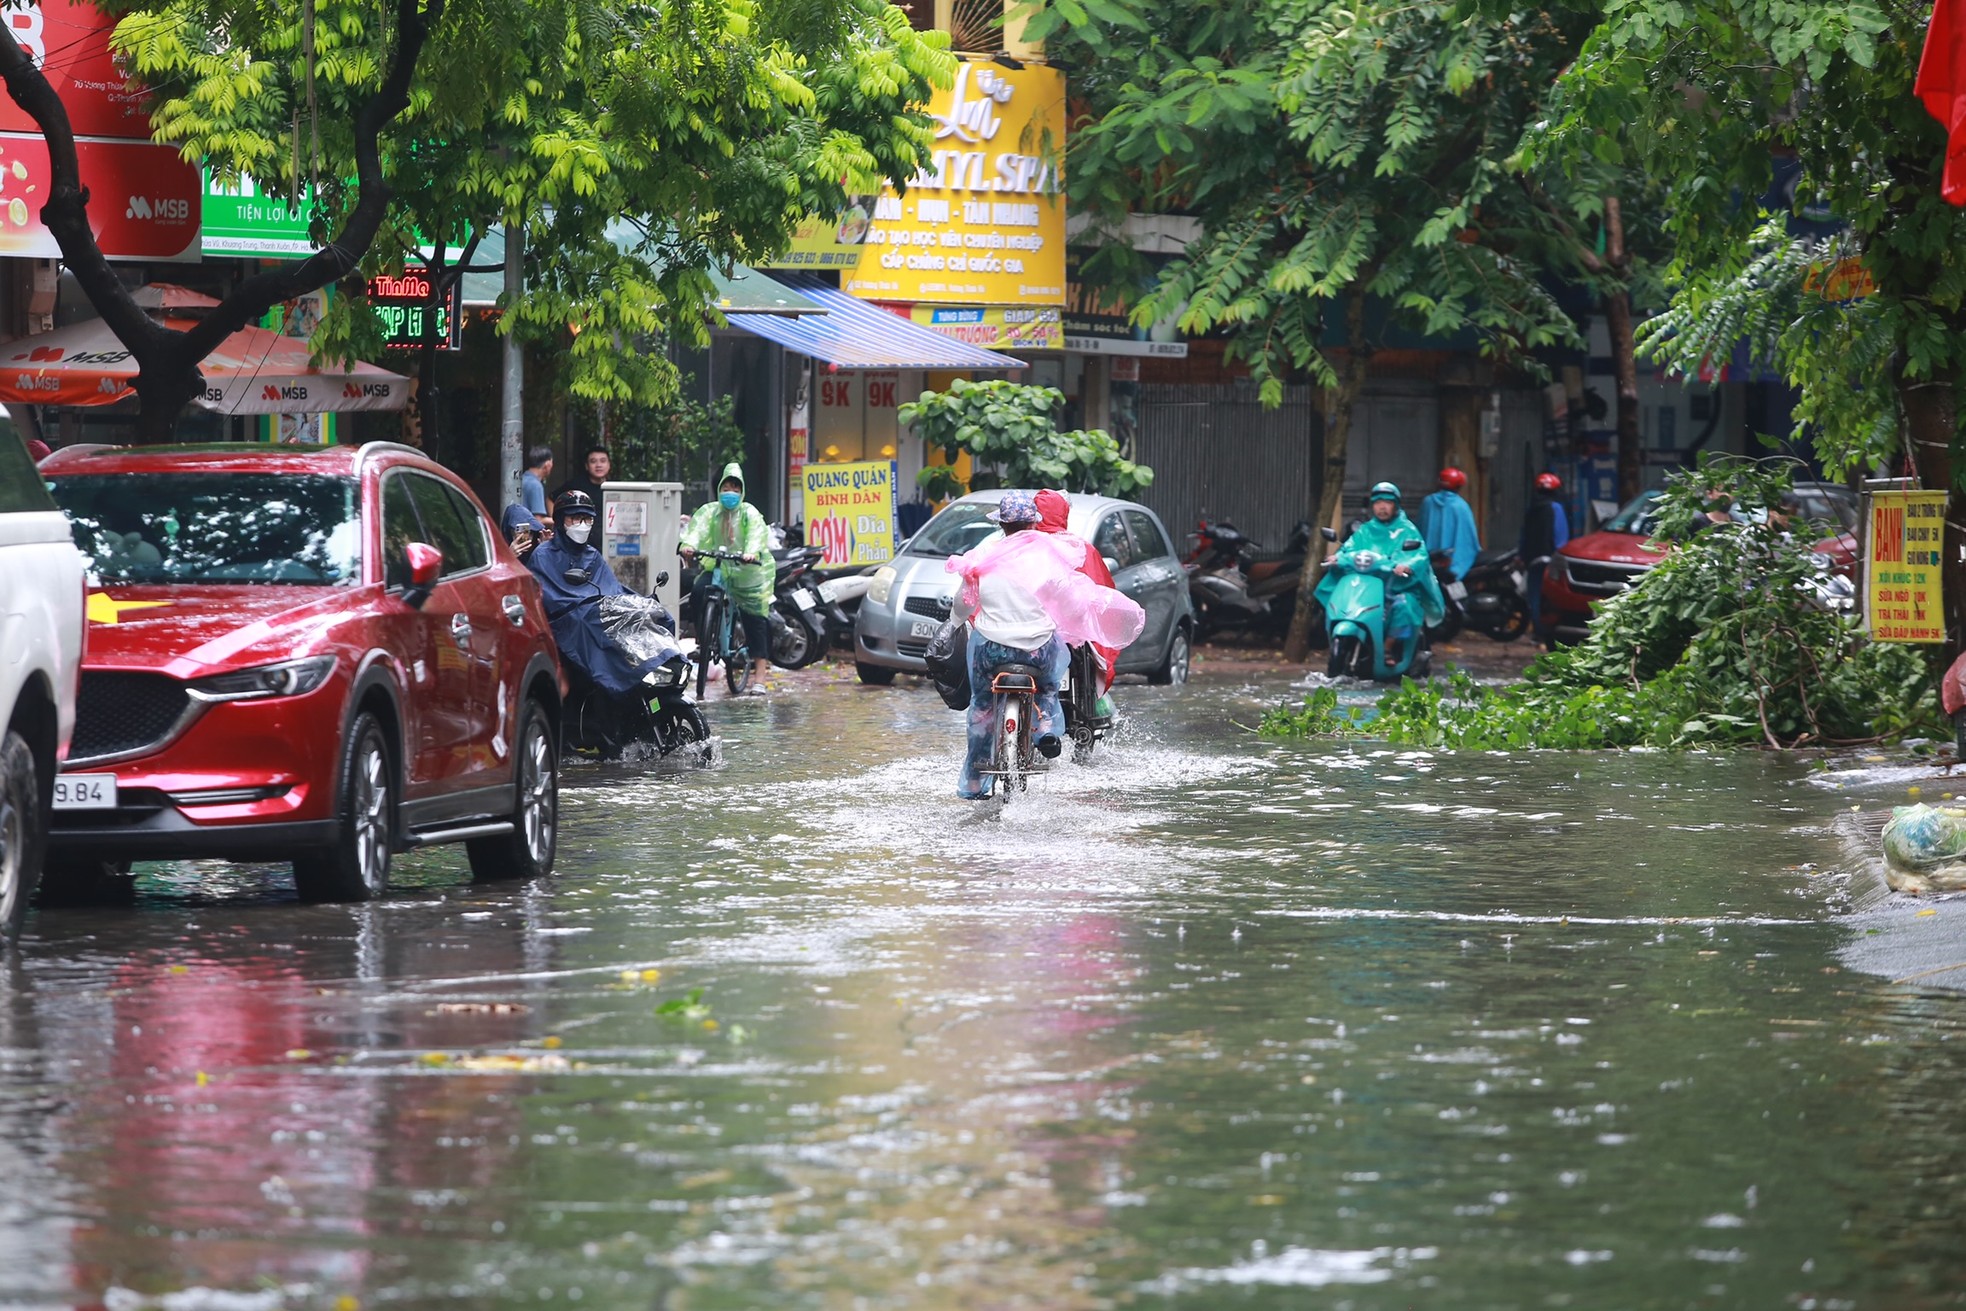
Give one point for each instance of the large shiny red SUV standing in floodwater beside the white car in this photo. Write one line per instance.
(314, 655)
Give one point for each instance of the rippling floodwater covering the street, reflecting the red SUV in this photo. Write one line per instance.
(1218, 1023)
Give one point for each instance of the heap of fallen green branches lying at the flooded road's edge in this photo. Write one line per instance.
(1721, 644)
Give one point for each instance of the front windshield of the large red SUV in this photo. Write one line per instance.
(215, 528)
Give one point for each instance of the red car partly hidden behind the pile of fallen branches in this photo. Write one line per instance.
(1605, 563)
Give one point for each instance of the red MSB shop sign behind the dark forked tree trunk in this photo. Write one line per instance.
(145, 201)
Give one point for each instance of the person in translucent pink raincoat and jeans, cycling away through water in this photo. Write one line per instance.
(1029, 604)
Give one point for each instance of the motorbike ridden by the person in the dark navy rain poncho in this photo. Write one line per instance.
(650, 722)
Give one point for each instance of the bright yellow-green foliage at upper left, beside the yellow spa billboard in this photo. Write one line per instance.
(638, 146)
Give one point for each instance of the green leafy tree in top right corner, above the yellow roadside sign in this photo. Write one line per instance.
(1706, 95)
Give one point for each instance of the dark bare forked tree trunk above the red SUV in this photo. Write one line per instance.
(168, 361)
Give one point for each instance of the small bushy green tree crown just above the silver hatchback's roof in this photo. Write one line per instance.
(1013, 429)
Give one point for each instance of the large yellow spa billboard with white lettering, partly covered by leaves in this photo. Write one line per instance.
(984, 223)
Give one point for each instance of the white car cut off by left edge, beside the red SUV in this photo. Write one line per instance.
(40, 654)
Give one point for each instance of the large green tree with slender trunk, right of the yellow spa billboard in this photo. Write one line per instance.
(1340, 154)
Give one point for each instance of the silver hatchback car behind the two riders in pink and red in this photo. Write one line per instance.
(911, 598)
